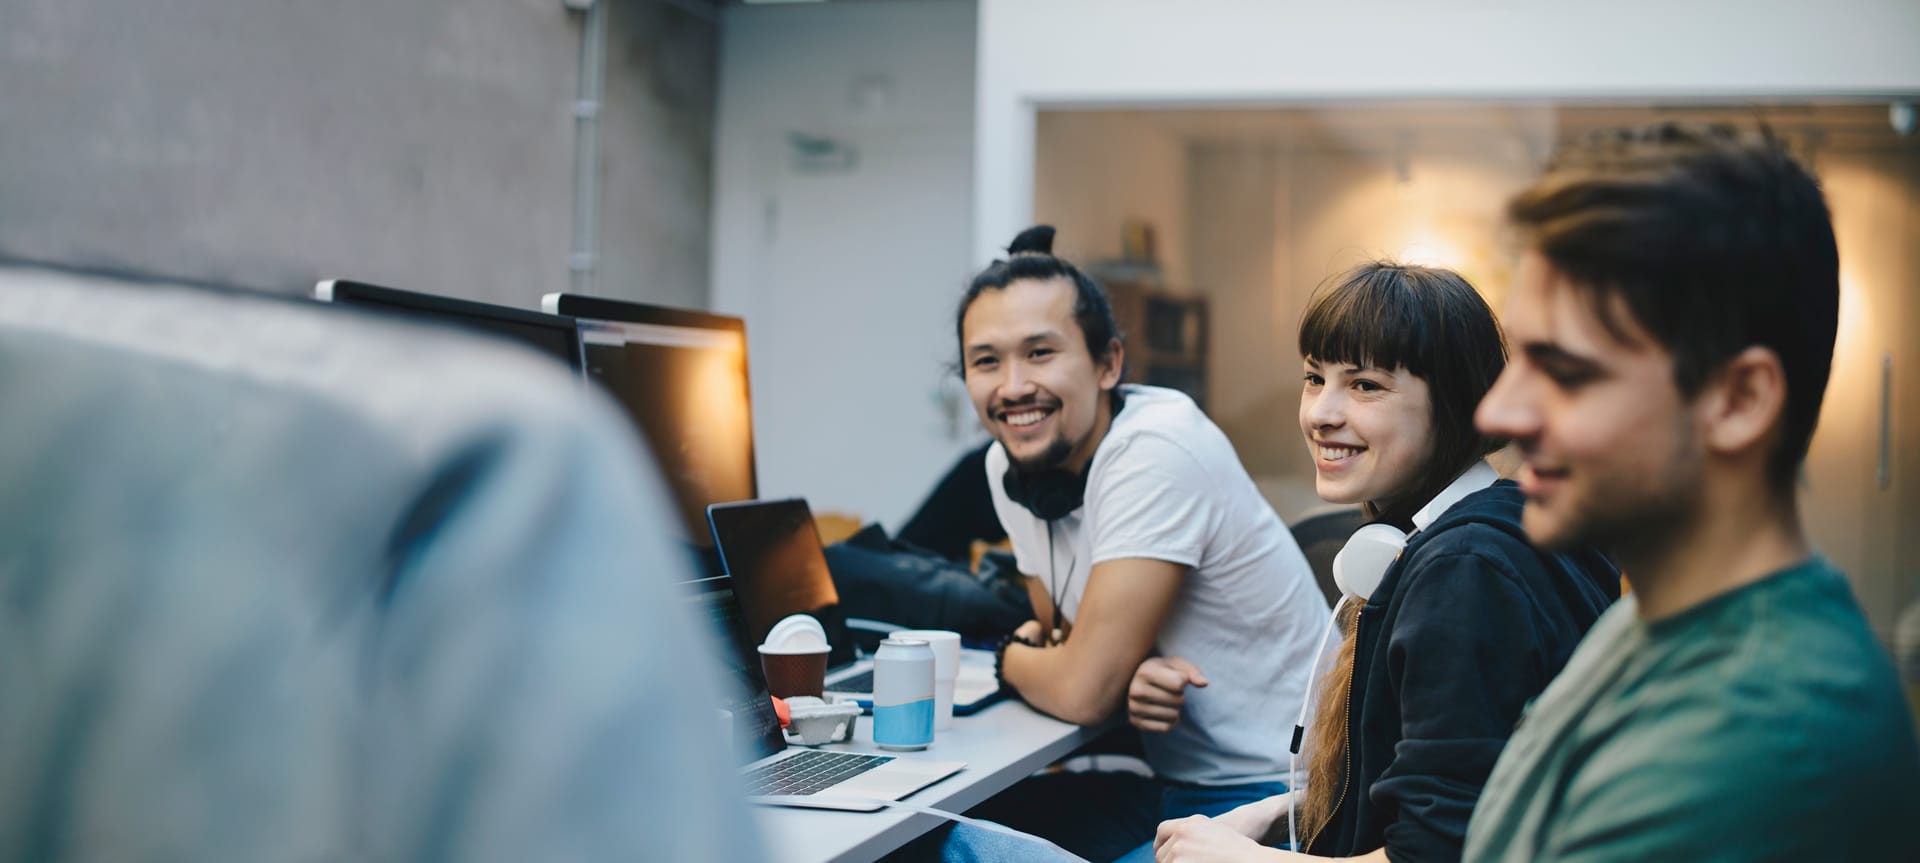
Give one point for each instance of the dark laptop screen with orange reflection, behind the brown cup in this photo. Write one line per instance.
(773, 553)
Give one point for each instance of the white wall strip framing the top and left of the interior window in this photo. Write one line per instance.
(1053, 53)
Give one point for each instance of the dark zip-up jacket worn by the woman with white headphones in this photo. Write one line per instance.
(1470, 626)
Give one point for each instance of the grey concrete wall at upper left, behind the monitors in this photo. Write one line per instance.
(421, 143)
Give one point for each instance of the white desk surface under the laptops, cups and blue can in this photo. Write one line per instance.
(999, 745)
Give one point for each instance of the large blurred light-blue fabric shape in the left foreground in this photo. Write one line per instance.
(287, 581)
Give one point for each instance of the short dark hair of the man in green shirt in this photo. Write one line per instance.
(1716, 239)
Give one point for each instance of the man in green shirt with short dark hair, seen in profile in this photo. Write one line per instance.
(1673, 328)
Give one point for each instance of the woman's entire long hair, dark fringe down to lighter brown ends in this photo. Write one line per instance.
(1431, 322)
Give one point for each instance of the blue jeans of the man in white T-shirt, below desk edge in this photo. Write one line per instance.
(1097, 816)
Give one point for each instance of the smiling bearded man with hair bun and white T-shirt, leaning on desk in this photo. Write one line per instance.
(1141, 535)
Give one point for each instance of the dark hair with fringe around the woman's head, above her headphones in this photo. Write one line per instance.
(1433, 324)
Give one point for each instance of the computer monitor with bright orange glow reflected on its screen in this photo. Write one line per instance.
(683, 376)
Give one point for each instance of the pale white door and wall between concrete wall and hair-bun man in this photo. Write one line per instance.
(848, 278)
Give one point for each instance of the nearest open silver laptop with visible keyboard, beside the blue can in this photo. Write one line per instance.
(827, 779)
